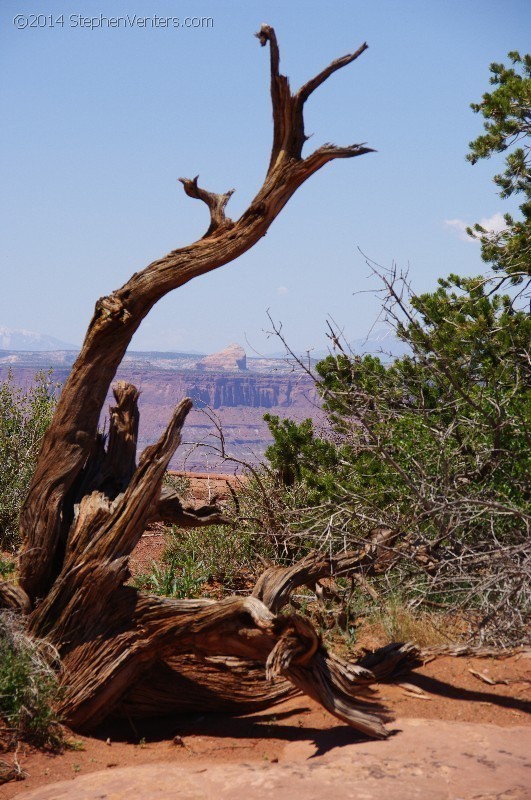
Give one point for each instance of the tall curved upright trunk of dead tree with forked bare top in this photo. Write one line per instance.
(70, 439)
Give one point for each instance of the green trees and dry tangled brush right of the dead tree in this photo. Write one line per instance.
(425, 460)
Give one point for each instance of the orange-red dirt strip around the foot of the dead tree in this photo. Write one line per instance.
(483, 691)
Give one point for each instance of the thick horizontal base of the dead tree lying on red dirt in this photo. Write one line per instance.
(102, 674)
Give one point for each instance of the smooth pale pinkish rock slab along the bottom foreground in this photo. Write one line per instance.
(426, 760)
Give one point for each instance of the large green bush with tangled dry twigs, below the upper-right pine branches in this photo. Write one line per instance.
(435, 446)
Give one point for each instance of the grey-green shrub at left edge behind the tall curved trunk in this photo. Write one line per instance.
(25, 415)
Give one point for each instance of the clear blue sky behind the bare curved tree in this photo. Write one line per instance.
(99, 124)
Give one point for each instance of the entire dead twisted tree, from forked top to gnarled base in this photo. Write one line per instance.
(88, 504)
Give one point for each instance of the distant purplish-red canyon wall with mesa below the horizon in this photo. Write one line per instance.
(236, 401)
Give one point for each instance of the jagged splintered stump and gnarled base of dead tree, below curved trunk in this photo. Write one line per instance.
(109, 635)
